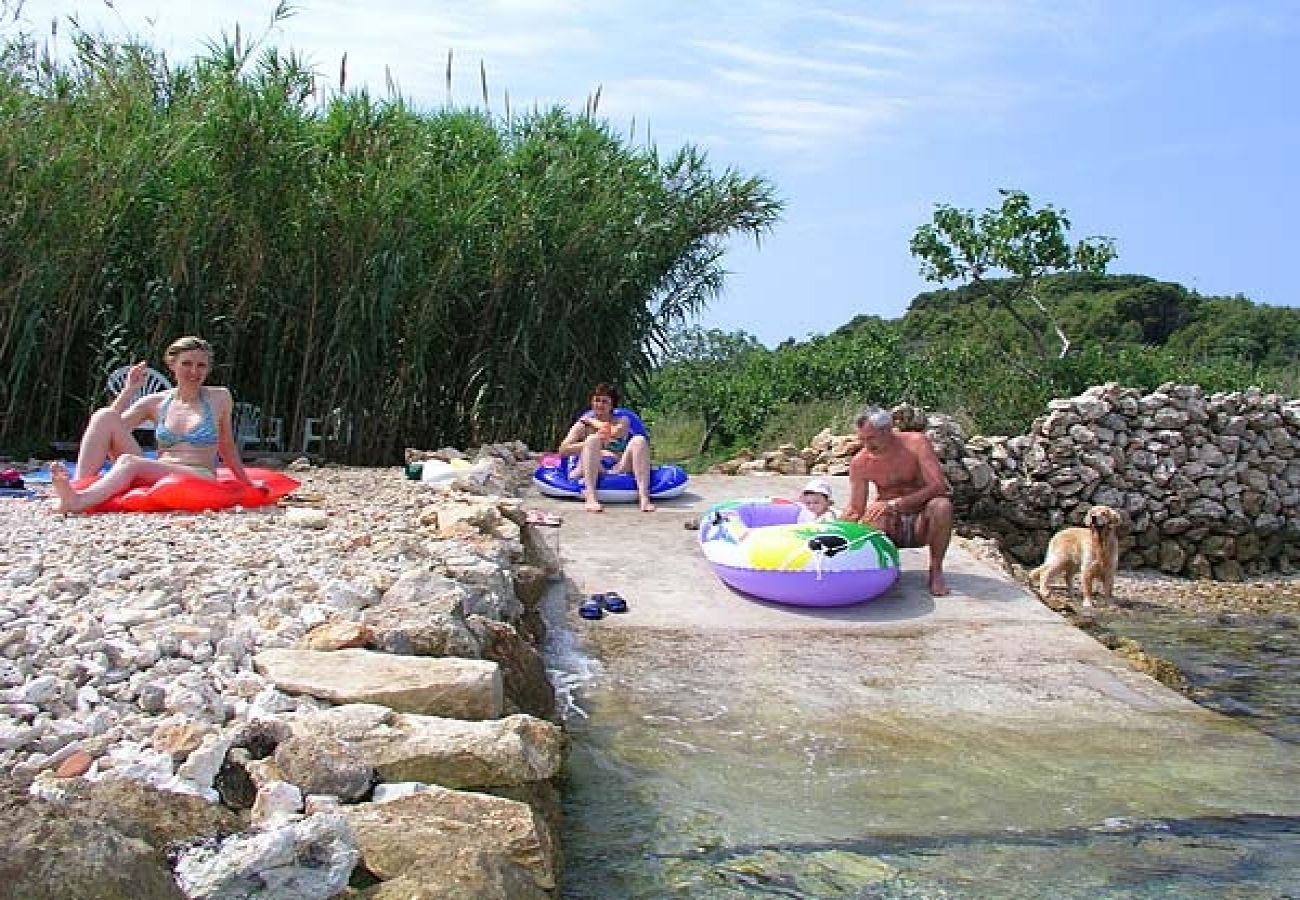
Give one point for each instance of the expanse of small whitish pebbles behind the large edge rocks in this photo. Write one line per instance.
(114, 626)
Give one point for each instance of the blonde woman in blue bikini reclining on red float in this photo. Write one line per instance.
(193, 430)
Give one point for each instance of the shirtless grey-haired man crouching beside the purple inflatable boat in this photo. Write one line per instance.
(912, 503)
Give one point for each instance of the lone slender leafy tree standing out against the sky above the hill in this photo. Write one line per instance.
(1017, 240)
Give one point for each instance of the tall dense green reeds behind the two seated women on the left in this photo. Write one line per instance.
(443, 278)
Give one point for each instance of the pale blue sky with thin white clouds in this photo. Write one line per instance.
(1172, 127)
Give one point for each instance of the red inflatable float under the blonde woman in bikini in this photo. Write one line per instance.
(194, 494)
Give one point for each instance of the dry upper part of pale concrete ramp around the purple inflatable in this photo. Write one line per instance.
(991, 641)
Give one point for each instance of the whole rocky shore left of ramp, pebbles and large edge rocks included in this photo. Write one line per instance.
(340, 696)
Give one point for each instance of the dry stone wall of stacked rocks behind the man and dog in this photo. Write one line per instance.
(1208, 486)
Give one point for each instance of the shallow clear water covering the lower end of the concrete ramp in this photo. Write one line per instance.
(681, 786)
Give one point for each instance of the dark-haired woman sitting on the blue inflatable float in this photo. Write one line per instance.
(601, 435)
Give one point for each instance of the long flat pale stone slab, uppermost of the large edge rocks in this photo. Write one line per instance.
(450, 687)
